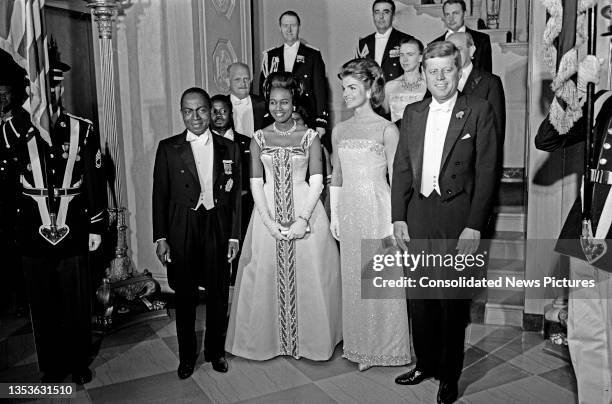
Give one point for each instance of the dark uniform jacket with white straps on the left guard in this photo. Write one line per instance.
(62, 195)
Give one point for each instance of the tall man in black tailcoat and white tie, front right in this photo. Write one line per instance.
(442, 193)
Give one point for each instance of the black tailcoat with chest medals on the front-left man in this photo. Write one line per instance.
(175, 182)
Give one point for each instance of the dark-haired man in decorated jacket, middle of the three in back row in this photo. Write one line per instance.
(382, 46)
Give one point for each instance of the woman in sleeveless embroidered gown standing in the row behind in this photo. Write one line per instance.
(411, 86)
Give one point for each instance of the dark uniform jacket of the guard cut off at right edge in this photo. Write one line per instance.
(548, 139)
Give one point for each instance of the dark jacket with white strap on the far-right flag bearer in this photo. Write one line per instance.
(548, 139)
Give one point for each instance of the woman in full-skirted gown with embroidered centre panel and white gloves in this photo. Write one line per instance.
(287, 295)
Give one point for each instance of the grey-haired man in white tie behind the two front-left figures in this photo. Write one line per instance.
(249, 110)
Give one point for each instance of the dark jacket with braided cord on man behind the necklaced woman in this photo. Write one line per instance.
(309, 68)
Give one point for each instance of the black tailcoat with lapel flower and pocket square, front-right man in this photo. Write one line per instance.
(468, 163)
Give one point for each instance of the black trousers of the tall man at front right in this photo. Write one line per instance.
(438, 324)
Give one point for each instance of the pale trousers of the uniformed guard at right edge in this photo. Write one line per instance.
(589, 333)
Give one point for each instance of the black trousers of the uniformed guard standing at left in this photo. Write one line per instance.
(60, 305)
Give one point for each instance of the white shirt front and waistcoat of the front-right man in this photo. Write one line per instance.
(438, 120)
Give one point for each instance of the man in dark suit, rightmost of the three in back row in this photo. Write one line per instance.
(454, 19)
